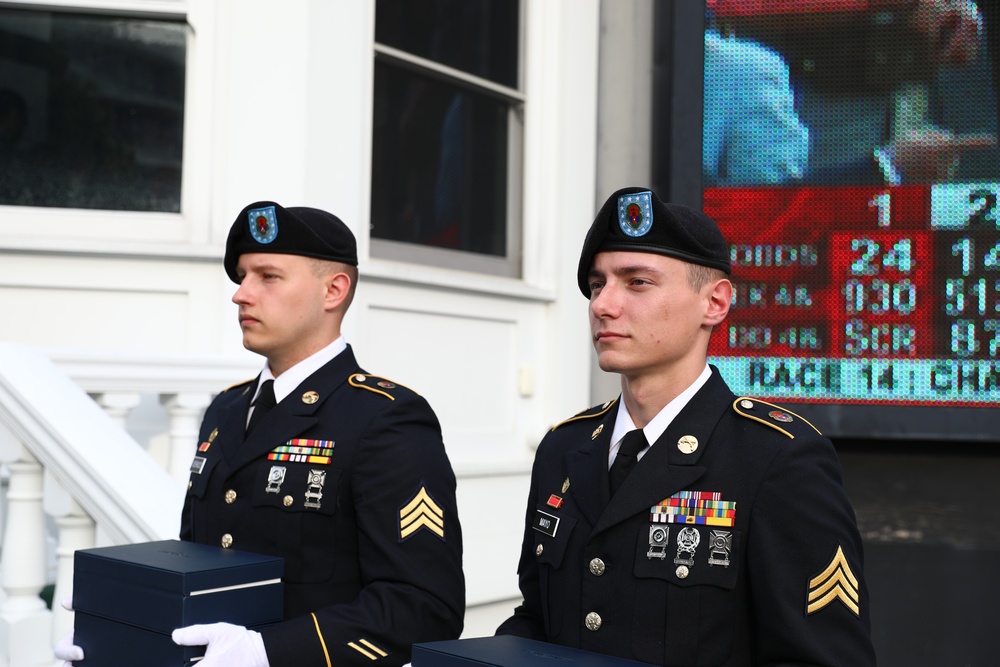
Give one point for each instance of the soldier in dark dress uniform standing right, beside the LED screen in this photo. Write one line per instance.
(679, 524)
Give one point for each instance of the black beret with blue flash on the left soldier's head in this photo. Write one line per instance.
(265, 226)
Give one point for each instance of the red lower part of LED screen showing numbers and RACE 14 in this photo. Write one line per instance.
(862, 294)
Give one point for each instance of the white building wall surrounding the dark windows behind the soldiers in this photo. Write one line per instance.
(280, 107)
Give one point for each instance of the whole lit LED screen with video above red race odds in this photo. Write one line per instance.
(850, 158)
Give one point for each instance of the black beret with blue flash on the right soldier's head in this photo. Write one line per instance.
(635, 220)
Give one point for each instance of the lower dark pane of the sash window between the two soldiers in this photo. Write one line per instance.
(439, 174)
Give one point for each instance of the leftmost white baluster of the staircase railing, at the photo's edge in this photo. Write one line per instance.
(25, 622)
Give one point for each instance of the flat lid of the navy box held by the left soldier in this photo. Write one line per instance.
(173, 565)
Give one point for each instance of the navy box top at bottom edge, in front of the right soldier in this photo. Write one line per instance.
(510, 651)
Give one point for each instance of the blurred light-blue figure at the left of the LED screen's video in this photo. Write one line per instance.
(752, 134)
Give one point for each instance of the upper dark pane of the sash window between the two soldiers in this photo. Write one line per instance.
(476, 36)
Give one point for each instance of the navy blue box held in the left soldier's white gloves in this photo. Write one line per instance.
(129, 598)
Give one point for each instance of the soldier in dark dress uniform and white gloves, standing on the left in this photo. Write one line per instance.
(345, 477)
